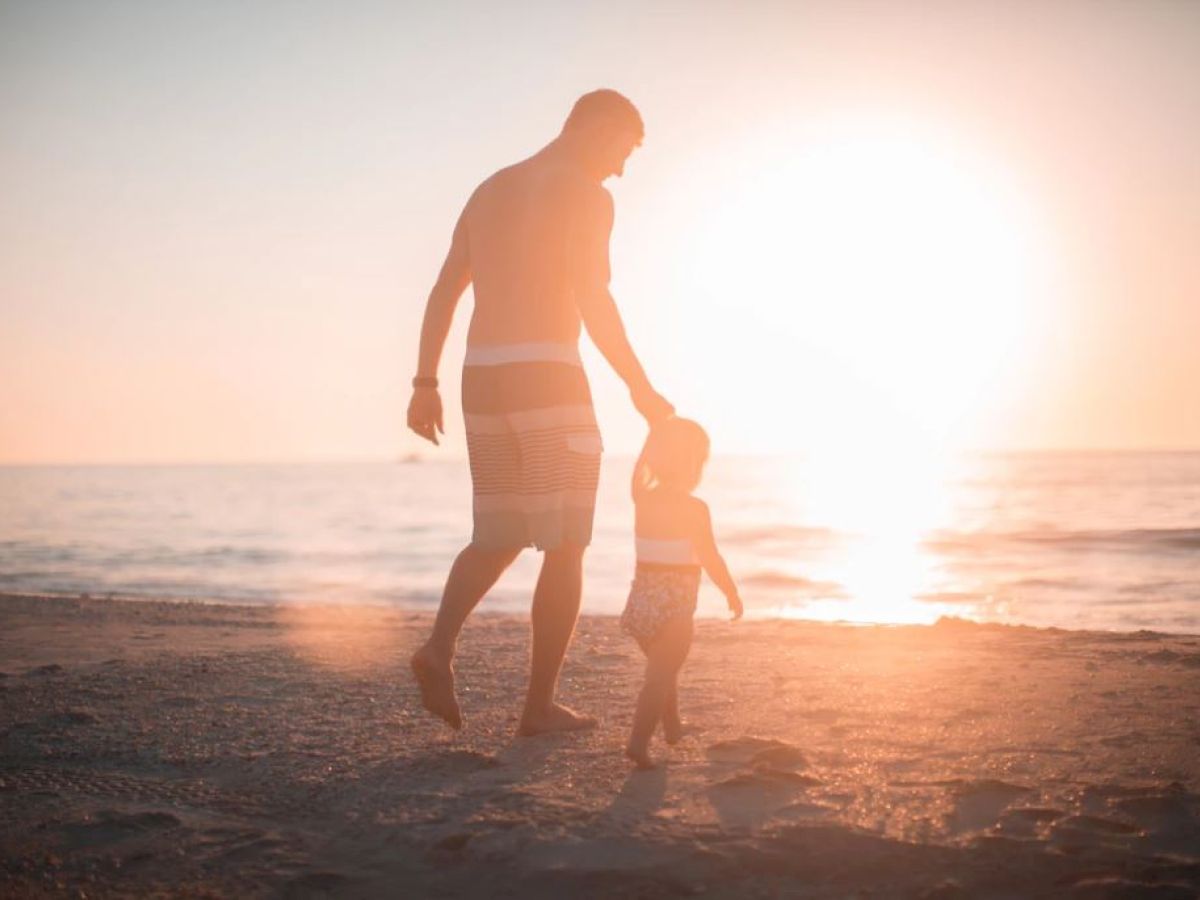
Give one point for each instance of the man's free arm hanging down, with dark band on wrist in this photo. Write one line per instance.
(425, 409)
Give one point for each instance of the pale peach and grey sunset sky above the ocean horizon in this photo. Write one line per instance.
(959, 225)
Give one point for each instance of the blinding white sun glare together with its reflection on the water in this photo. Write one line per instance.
(892, 283)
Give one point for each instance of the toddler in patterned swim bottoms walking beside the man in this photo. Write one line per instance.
(675, 541)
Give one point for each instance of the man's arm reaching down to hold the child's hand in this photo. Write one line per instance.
(599, 310)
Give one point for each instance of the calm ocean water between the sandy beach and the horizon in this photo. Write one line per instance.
(1097, 541)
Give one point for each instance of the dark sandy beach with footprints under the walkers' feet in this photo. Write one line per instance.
(207, 751)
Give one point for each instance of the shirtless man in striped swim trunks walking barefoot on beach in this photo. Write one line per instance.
(535, 241)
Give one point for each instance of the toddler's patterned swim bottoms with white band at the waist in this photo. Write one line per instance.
(665, 587)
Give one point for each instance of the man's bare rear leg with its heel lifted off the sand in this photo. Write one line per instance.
(473, 574)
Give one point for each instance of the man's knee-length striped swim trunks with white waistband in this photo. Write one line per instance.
(533, 443)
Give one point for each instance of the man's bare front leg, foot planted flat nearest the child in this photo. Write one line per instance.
(556, 607)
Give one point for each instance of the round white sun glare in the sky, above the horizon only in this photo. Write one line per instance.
(887, 272)
